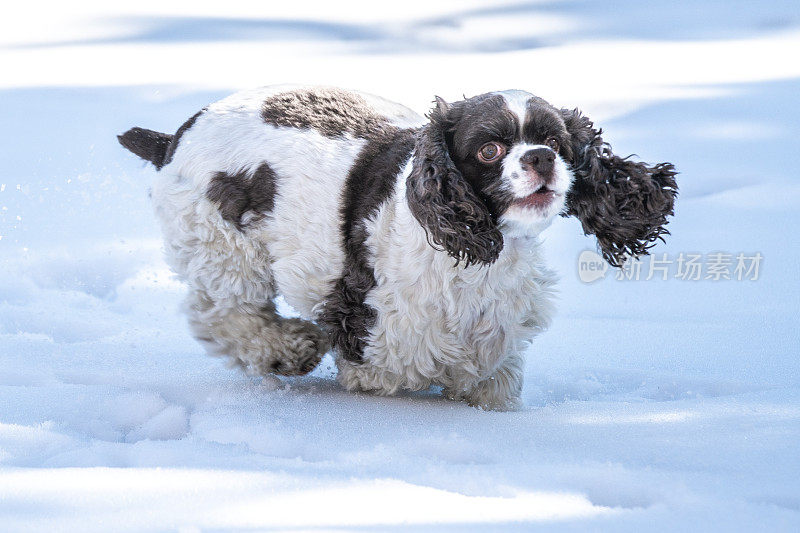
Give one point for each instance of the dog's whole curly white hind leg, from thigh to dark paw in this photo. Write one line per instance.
(228, 272)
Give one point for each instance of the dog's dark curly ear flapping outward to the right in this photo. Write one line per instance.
(625, 204)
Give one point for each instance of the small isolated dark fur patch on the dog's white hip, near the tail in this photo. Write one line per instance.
(239, 193)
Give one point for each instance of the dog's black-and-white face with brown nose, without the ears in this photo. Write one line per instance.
(508, 147)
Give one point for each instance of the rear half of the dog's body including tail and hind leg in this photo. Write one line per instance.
(250, 200)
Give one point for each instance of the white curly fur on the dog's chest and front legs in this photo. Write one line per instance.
(461, 328)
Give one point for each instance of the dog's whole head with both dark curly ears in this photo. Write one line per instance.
(505, 164)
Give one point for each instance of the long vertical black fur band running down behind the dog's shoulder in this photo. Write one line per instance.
(370, 182)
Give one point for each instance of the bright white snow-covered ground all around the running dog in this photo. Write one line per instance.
(650, 405)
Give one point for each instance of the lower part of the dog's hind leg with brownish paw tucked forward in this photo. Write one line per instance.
(256, 337)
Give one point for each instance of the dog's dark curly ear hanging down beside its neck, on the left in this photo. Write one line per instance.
(443, 202)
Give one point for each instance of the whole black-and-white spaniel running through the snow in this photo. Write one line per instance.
(409, 246)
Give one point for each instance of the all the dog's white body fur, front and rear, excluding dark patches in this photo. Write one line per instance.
(461, 328)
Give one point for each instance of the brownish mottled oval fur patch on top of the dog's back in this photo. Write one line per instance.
(331, 112)
